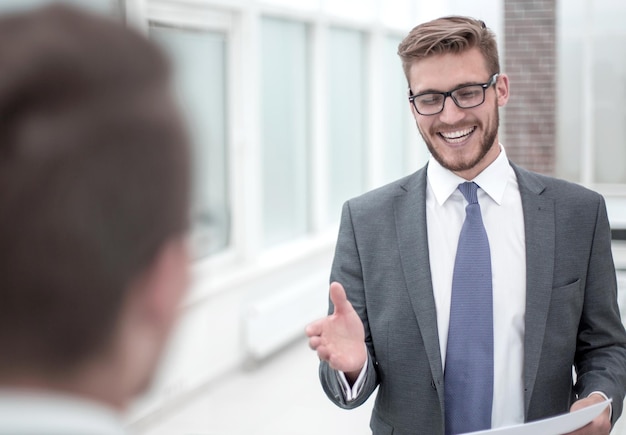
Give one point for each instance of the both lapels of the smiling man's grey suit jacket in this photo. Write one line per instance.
(539, 223)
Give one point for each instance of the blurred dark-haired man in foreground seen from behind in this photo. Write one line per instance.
(94, 191)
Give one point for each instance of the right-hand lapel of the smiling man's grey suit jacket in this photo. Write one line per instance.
(539, 223)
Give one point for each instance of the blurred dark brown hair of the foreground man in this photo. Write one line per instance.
(94, 179)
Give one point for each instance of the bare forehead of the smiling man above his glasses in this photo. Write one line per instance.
(443, 72)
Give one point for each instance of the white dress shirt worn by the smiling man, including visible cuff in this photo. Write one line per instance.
(501, 208)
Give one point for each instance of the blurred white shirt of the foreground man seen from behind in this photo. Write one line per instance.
(29, 412)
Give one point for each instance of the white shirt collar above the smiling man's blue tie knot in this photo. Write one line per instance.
(493, 179)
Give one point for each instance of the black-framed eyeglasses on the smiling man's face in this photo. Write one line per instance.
(465, 97)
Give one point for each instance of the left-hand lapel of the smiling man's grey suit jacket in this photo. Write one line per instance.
(410, 216)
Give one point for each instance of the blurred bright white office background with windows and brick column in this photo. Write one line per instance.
(297, 105)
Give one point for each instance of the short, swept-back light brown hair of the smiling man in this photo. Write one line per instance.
(453, 34)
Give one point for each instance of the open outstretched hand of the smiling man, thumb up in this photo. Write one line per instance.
(339, 338)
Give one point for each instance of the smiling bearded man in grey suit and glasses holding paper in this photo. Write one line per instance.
(553, 279)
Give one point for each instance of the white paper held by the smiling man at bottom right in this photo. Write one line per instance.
(554, 425)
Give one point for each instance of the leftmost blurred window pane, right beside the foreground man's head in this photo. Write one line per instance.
(199, 59)
